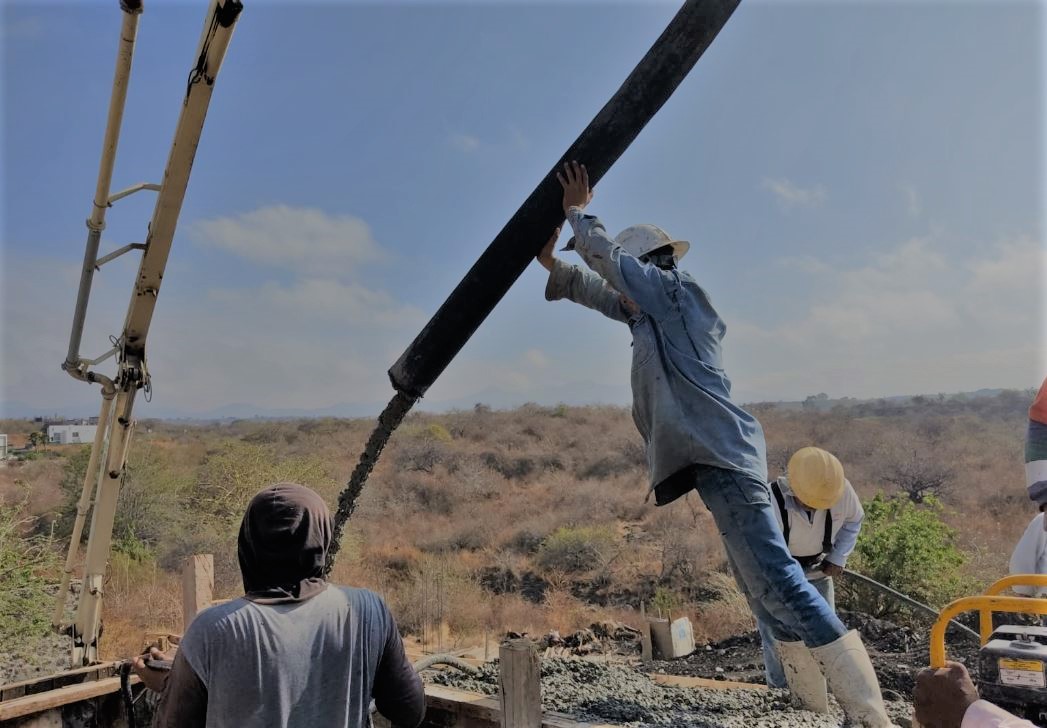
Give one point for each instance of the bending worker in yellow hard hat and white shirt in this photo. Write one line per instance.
(821, 517)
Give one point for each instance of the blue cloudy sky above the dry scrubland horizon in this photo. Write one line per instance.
(863, 185)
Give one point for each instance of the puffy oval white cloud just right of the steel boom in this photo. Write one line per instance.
(296, 238)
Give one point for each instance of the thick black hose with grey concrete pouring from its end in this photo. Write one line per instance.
(607, 138)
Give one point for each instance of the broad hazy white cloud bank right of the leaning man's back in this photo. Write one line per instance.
(914, 320)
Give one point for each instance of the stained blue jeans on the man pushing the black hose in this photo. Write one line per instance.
(774, 584)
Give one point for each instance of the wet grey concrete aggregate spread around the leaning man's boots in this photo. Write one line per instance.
(600, 692)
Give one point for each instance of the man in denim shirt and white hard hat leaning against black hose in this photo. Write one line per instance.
(698, 438)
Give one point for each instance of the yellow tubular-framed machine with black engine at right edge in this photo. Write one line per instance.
(1013, 660)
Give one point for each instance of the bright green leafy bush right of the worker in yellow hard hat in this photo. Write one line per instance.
(907, 547)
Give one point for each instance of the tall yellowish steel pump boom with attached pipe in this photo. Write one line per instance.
(105, 472)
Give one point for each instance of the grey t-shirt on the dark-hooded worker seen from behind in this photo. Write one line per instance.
(298, 665)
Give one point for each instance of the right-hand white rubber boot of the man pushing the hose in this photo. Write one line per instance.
(846, 667)
